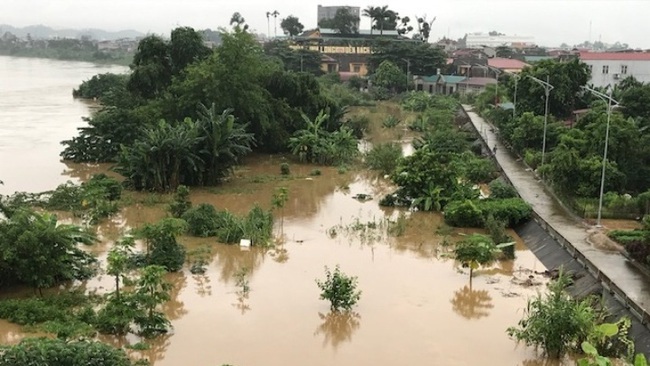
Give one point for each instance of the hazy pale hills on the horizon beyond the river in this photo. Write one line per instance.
(44, 32)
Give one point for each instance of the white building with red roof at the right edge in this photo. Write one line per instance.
(609, 68)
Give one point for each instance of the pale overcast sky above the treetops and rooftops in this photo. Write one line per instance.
(551, 22)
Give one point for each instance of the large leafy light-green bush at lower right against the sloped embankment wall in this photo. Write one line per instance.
(555, 322)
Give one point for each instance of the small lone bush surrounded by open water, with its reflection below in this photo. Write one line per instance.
(339, 289)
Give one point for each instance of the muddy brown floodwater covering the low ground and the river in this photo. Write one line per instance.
(417, 305)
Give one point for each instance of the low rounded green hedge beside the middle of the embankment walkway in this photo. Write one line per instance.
(511, 211)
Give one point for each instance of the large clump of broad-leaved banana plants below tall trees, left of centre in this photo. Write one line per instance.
(191, 152)
